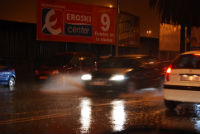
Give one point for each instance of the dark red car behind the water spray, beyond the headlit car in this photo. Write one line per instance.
(69, 62)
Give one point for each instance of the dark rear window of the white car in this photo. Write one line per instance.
(187, 61)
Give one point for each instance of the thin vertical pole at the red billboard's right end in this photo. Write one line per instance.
(117, 30)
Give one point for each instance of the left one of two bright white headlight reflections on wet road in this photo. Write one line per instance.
(85, 118)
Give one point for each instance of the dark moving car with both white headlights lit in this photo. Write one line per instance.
(125, 72)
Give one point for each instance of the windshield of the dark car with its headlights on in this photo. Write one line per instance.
(118, 63)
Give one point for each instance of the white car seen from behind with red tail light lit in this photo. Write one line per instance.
(182, 82)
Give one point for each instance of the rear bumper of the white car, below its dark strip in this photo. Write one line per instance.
(182, 93)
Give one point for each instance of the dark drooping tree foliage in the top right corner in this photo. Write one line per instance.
(183, 12)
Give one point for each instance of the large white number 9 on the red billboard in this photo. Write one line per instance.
(105, 21)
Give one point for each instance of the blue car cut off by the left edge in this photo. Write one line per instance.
(7, 74)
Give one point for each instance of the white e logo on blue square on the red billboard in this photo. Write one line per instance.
(50, 22)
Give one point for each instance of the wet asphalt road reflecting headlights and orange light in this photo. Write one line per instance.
(34, 107)
